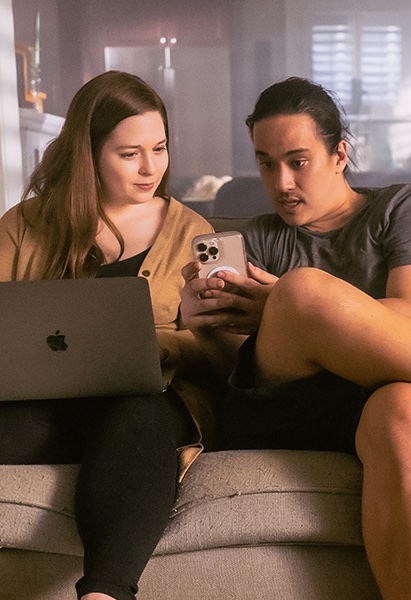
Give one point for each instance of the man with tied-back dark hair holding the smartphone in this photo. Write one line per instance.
(328, 305)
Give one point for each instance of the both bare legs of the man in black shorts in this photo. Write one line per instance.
(314, 321)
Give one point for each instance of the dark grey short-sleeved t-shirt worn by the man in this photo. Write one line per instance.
(376, 239)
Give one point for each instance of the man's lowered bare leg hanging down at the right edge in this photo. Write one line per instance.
(384, 447)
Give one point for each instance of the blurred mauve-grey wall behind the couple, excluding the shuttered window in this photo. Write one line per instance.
(242, 46)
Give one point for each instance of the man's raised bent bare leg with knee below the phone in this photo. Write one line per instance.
(314, 321)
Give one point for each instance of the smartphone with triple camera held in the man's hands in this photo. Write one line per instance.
(220, 252)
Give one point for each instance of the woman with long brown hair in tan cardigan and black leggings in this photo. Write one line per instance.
(97, 205)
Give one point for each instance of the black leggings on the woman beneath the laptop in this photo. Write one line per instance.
(128, 476)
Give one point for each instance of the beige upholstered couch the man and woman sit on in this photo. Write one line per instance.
(247, 525)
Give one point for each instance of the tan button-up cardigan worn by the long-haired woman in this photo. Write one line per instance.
(21, 257)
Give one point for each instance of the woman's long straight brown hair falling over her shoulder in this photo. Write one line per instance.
(67, 179)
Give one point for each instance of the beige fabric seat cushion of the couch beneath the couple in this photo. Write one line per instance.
(227, 499)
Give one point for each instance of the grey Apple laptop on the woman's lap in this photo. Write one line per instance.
(75, 338)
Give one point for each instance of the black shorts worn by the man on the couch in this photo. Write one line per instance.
(320, 412)
